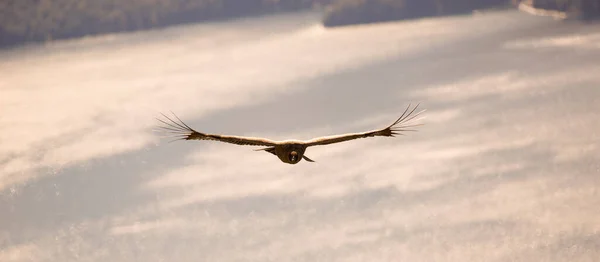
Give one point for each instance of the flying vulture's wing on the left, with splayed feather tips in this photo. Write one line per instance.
(182, 131)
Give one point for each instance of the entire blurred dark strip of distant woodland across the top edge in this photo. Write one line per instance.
(23, 21)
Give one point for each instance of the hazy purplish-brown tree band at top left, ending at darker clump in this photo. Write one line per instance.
(41, 20)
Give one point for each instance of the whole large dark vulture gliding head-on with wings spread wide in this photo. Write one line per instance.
(288, 151)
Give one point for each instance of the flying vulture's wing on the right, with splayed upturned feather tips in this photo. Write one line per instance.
(400, 125)
